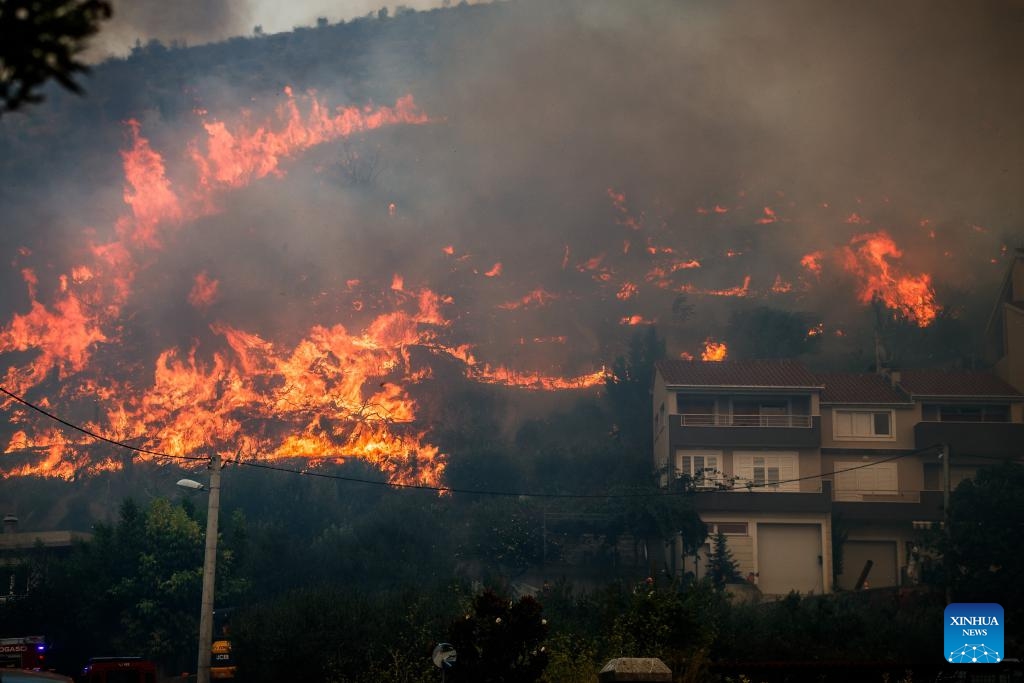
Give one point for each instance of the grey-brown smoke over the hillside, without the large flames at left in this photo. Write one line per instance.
(612, 157)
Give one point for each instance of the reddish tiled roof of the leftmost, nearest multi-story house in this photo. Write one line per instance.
(778, 374)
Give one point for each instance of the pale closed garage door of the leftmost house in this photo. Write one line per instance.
(789, 559)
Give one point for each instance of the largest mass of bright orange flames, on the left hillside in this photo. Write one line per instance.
(311, 400)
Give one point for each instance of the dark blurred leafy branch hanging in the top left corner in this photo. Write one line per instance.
(41, 40)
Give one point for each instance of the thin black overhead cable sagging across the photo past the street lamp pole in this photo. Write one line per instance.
(444, 490)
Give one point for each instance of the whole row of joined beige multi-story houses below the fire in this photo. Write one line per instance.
(824, 482)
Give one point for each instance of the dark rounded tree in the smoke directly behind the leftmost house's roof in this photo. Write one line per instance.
(772, 333)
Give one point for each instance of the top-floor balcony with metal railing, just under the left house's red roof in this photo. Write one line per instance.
(727, 431)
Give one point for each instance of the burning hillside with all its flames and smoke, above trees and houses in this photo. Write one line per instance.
(210, 249)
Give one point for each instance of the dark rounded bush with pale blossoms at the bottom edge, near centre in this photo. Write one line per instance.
(500, 642)
